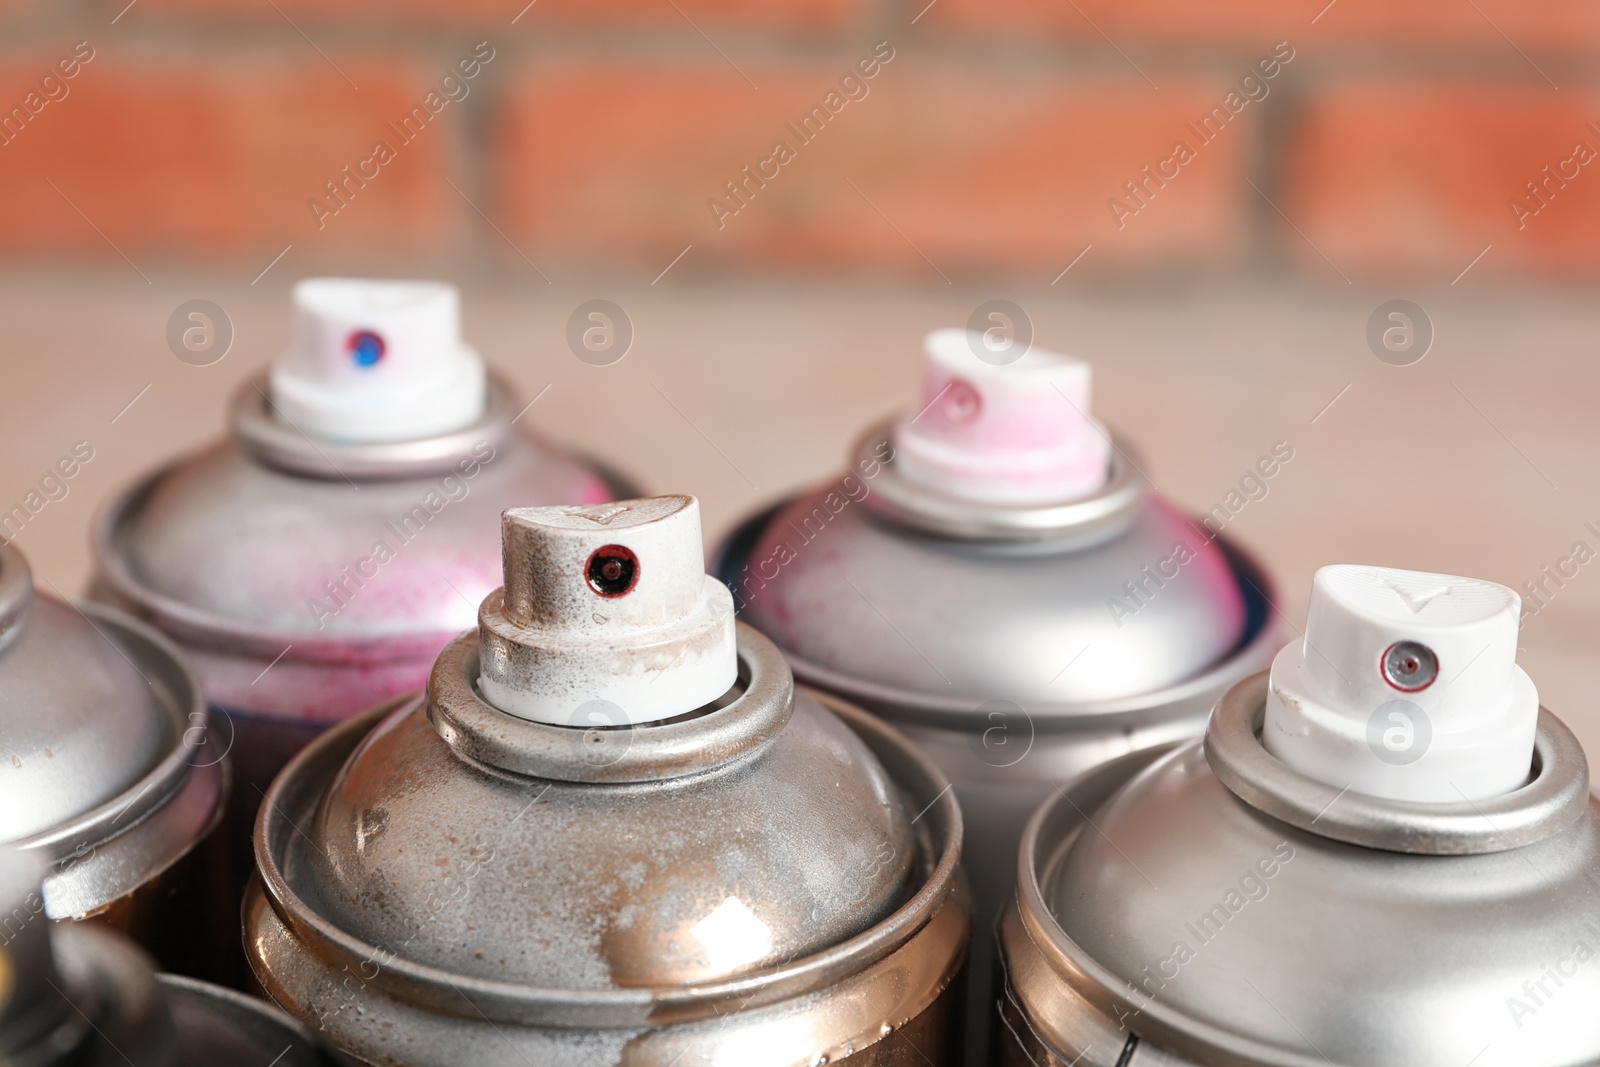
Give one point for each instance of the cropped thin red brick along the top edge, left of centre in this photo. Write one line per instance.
(807, 15)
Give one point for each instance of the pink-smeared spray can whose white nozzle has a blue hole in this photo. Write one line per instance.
(321, 556)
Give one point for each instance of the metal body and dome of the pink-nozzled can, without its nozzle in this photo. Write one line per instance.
(986, 636)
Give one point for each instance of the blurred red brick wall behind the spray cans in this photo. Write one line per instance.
(999, 138)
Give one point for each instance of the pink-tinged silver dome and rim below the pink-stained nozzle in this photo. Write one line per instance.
(919, 604)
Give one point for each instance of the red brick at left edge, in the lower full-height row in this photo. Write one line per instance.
(217, 158)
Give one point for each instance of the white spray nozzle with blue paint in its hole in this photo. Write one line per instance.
(378, 362)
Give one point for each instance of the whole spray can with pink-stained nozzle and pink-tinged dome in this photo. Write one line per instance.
(994, 578)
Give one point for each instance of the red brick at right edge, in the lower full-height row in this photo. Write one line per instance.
(1420, 177)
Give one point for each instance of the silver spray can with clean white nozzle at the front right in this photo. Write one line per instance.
(1385, 852)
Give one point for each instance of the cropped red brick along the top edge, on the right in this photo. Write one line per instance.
(1258, 23)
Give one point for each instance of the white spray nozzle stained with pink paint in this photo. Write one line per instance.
(1009, 434)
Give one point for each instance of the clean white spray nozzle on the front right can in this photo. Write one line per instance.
(1406, 687)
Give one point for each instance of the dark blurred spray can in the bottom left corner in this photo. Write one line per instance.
(84, 997)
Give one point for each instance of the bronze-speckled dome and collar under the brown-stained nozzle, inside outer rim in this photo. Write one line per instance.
(617, 863)
